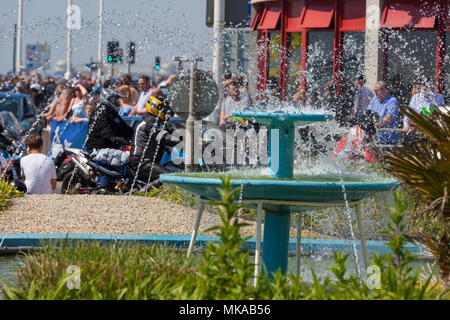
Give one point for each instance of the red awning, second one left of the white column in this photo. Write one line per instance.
(318, 14)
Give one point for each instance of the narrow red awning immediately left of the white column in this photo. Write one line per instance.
(353, 15)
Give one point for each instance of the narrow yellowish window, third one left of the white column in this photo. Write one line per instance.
(294, 66)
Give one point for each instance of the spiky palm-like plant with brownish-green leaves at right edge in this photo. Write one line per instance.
(424, 168)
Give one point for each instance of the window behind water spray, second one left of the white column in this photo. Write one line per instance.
(319, 62)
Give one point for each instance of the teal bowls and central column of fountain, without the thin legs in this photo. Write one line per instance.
(281, 162)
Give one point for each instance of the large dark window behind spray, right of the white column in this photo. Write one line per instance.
(411, 55)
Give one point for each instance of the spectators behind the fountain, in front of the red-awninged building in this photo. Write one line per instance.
(370, 114)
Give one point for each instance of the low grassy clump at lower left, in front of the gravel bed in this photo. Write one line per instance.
(107, 272)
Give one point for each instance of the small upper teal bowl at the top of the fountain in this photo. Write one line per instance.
(278, 119)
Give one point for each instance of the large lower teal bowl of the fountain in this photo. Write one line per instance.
(309, 192)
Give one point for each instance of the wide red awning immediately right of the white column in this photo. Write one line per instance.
(409, 14)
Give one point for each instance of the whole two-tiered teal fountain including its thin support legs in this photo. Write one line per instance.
(280, 192)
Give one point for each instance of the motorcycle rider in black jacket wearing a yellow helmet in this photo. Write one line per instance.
(150, 138)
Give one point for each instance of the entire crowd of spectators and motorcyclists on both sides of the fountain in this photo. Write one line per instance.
(371, 115)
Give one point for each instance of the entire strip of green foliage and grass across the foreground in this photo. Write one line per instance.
(225, 271)
